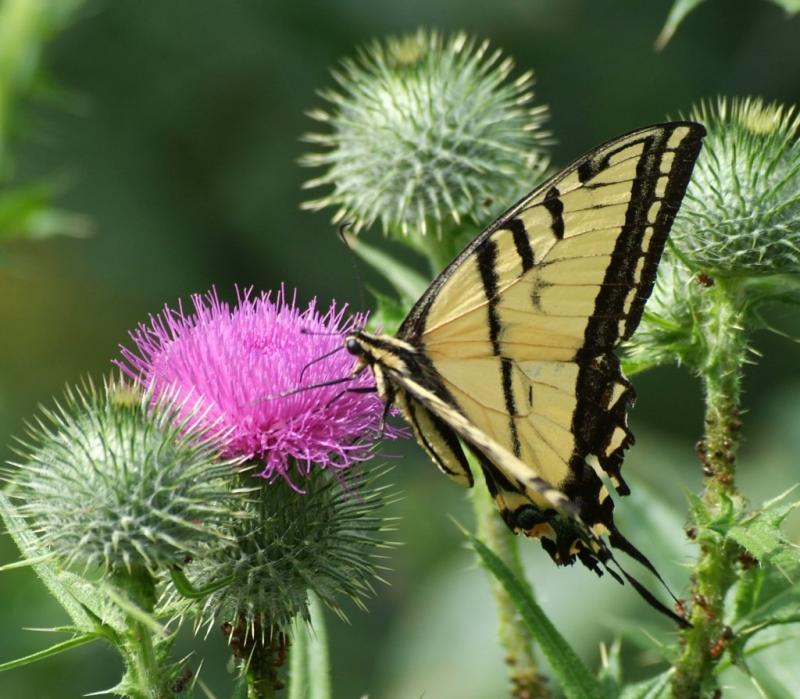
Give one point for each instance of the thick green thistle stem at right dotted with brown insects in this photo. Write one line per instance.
(714, 571)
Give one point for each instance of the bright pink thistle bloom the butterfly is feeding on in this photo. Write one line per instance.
(242, 360)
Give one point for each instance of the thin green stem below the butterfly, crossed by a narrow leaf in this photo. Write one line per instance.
(526, 681)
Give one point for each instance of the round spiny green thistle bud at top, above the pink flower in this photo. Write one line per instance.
(424, 131)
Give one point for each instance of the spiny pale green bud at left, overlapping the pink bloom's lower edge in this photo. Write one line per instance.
(114, 479)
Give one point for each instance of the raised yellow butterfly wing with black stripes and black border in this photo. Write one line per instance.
(520, 328)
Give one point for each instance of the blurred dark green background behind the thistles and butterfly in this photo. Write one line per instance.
(175, 128)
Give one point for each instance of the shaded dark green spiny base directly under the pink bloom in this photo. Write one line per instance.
(325, 540)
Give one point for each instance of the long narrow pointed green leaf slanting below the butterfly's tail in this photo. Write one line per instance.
(573, 676)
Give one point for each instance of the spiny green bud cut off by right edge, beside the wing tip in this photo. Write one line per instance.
(741, 213)
